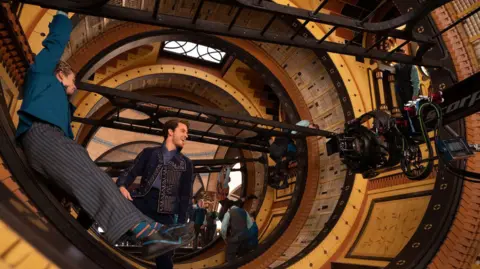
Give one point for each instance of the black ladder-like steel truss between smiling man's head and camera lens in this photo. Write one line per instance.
(157, 108)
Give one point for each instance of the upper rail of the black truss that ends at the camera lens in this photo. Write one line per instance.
(161, 107)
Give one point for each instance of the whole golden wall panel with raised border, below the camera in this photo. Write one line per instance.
(399, 209)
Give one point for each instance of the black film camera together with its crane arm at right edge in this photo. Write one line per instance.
(391, 141)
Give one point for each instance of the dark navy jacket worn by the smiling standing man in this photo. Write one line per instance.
(176, 180)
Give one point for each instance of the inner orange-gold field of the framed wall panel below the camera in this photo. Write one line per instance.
(391, 222)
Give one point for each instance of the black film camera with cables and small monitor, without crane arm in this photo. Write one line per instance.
(390, 141)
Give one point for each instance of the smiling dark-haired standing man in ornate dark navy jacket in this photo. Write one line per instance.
(166, 181)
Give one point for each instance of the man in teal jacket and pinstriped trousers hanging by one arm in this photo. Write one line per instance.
(45, 133)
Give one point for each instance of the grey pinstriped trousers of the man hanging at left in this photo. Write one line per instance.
(68, 164)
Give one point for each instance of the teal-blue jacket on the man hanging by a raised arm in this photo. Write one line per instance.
(45, 98)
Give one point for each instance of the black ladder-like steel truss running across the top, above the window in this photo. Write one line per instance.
(274, 11)
